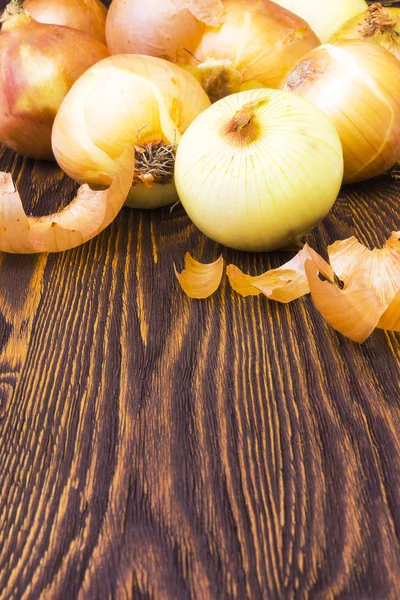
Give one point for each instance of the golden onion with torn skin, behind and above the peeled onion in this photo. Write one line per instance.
(256, 45)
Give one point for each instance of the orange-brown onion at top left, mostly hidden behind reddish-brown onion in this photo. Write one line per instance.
(88, 16)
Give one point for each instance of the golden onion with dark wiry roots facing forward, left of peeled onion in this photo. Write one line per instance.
(127, 100)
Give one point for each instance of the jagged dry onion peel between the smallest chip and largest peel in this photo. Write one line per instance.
(284, 284)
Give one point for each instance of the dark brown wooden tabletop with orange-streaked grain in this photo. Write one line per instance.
(153, 446)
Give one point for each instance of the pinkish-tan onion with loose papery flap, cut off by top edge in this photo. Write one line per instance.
(160, 28)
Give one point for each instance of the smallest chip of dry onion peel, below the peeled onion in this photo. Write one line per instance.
(199, 280)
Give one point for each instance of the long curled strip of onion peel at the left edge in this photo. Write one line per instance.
(86, 216)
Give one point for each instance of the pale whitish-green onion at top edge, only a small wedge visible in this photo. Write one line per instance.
(325, 16)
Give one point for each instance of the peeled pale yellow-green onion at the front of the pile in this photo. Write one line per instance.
(258, 169)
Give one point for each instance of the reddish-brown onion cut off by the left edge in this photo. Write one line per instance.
(39, 63)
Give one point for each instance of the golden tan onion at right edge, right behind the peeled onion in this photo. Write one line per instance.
(357, 86)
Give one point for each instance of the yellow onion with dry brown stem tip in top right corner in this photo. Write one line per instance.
(377, 24)
